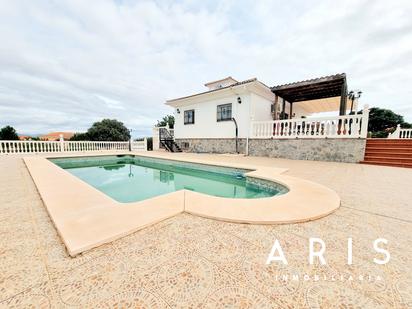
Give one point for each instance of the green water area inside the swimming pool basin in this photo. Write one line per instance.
(132, 178)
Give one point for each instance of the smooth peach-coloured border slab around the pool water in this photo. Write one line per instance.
(86, 218)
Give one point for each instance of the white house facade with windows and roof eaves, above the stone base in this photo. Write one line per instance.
(213, 110)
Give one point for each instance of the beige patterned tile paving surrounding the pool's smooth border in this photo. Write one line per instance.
(188, 261)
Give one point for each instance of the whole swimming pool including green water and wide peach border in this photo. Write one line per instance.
(86, 217)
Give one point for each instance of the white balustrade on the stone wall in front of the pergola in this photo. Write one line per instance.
(348, 126)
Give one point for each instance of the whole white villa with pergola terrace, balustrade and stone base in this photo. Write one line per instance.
(252, 118)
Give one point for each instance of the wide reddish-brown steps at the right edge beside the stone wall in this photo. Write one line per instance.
(389, 152)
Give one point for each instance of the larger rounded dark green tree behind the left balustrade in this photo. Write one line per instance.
(108, 130)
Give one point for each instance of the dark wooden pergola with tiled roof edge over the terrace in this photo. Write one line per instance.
(314, 91)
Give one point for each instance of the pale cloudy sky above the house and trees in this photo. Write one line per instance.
(66, 64)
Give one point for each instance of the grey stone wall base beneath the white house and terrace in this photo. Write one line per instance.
(338, 150)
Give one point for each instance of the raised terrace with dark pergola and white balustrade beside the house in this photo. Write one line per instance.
(295, 103)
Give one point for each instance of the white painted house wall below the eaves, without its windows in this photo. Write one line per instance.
(253, 107)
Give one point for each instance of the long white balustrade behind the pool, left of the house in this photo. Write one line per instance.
(24, 147)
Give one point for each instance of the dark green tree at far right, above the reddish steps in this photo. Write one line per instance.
(383, 121)
